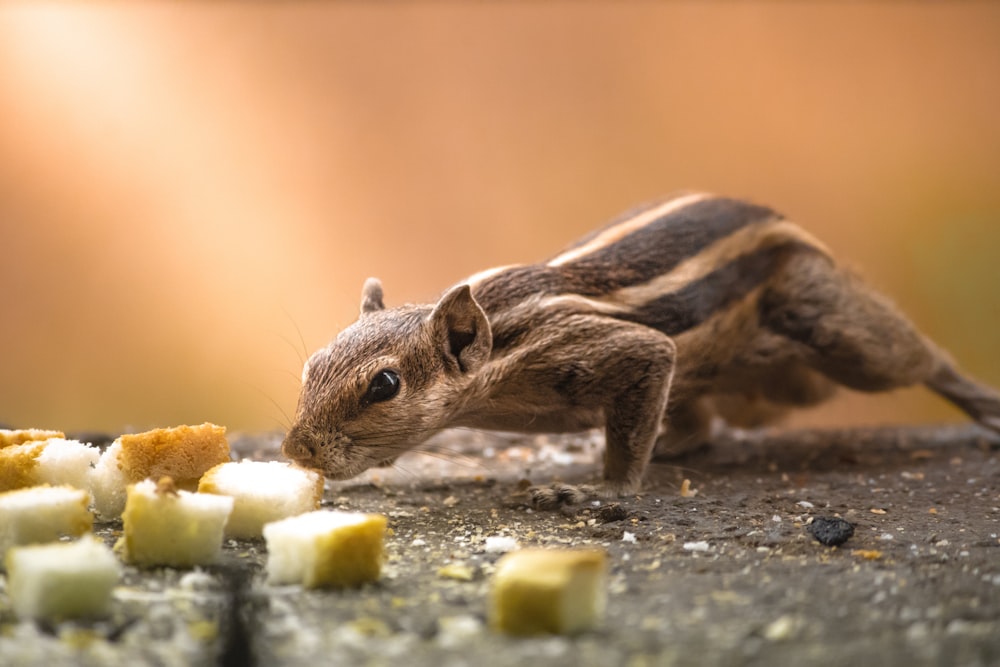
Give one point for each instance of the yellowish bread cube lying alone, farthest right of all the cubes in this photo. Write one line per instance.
(556, 591)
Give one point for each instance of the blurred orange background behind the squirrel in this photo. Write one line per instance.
(185, 188)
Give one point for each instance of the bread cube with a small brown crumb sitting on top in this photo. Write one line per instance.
(166, 526)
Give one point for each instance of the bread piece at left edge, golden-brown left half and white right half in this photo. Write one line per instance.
(53, 461)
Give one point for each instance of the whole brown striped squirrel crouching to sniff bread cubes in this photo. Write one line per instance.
(680, 311)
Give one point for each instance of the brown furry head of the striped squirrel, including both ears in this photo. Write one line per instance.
(387, 382)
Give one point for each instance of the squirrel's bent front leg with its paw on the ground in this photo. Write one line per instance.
(631, 370)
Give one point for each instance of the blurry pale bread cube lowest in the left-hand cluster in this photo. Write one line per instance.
(62, 580)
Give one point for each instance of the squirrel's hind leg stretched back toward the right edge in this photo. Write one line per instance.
(857, 338)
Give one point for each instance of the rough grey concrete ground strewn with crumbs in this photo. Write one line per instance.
(726, 574)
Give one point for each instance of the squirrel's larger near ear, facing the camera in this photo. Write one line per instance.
(461, 329)
